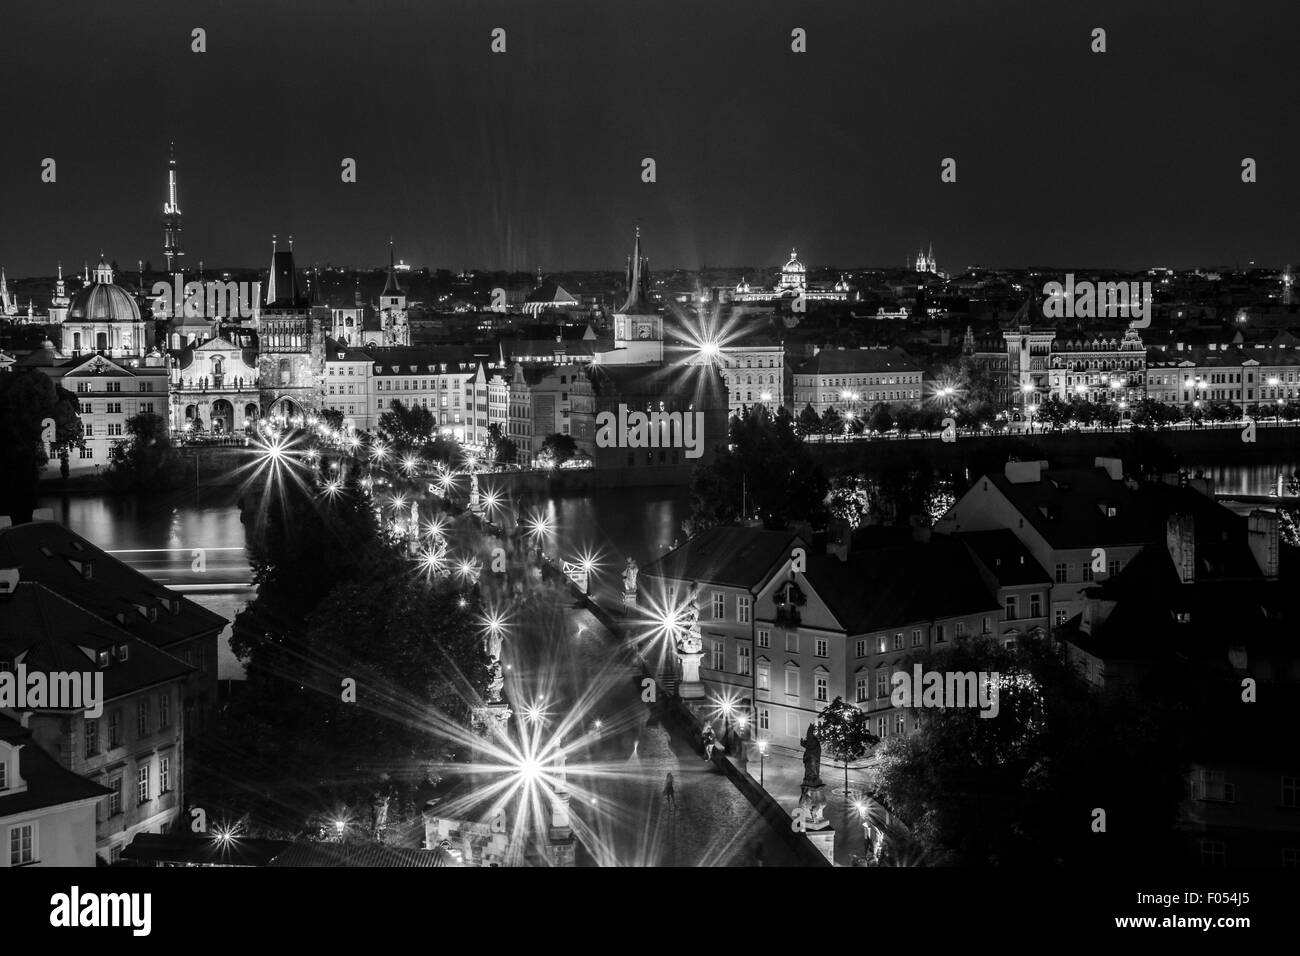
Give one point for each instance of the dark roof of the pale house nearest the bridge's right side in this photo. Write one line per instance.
(734, 557)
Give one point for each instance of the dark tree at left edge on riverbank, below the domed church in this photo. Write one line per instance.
(28, 400)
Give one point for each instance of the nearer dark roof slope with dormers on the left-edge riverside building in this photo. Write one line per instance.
(50, 631)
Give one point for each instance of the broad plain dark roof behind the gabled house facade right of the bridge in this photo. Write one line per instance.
(895, 586)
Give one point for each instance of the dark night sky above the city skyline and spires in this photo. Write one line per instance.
(534, 158)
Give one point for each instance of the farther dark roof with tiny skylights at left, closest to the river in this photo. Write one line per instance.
(54, 556)
